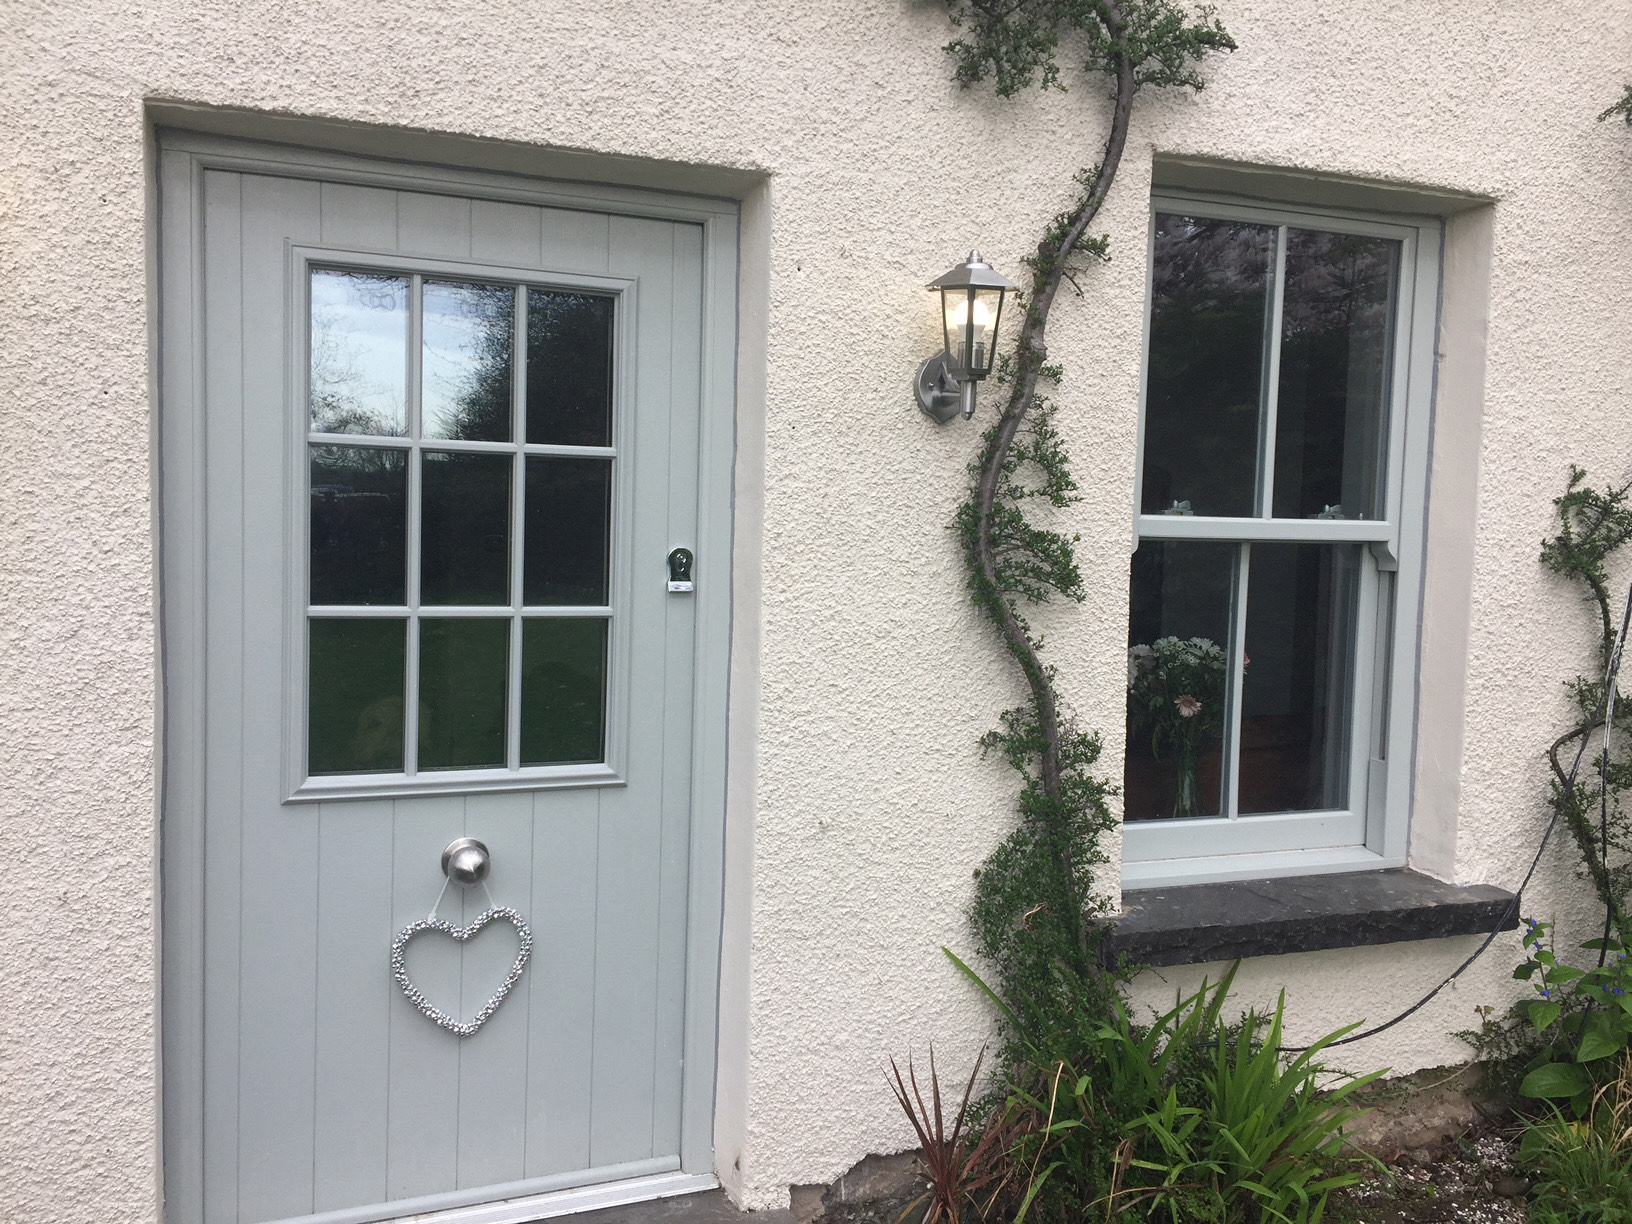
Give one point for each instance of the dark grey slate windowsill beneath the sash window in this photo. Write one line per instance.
(1266, 918)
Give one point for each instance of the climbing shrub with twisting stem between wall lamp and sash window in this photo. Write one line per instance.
(1034, 900)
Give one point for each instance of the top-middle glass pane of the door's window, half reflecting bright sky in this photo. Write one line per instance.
(466, 376)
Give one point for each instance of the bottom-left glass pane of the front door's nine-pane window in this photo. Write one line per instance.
(355, 706)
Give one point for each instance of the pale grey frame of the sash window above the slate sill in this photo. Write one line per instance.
(1373, 830)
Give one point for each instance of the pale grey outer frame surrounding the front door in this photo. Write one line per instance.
(182, 162)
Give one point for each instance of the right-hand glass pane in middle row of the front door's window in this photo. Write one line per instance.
(569, 528)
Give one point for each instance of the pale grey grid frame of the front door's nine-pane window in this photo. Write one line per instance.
(299, 784)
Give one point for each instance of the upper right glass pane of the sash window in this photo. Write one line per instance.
(1331, 412)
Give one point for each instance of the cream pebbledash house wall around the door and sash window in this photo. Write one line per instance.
(861, 680)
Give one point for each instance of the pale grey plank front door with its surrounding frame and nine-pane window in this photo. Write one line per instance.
(427, 453)
